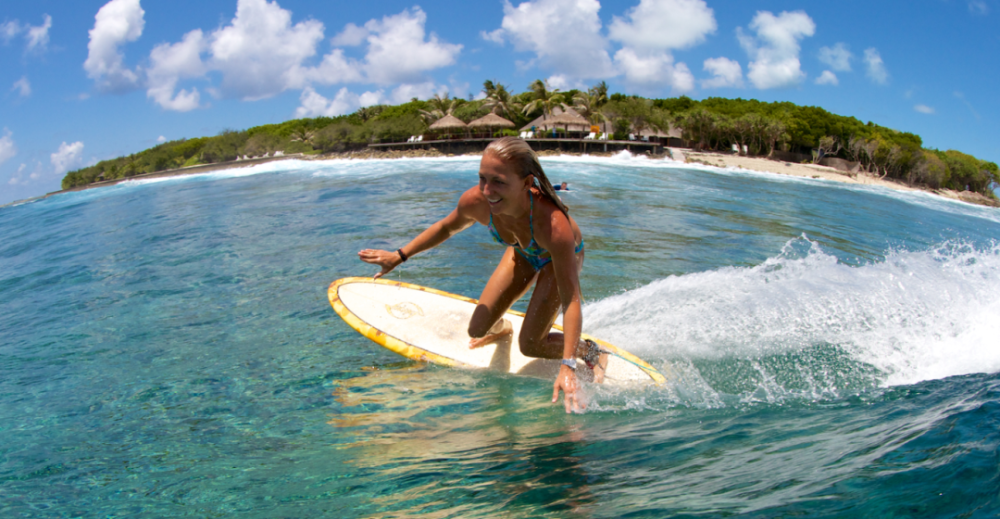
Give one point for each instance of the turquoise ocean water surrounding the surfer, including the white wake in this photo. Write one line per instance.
(167, 350)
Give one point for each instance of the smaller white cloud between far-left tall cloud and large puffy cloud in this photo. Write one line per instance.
(171, 62)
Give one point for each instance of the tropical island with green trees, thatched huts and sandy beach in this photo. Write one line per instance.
(714, 131)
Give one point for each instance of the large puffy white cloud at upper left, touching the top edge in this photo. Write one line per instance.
(260, 53)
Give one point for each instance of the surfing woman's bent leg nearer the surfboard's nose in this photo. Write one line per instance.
(509, 282)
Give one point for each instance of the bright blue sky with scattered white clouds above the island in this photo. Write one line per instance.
(83, 81)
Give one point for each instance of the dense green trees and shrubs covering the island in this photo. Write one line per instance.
(755, 127)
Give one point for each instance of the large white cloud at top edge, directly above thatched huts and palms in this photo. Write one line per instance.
(565, 35)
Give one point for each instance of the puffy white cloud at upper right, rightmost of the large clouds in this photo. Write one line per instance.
(775, 50)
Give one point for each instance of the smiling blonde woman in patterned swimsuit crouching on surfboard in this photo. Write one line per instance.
(546, 251)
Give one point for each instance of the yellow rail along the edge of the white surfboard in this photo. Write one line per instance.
(414, 353)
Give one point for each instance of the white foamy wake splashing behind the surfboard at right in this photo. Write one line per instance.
(915, 316)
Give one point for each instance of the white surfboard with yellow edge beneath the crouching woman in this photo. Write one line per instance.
(429, 325)
